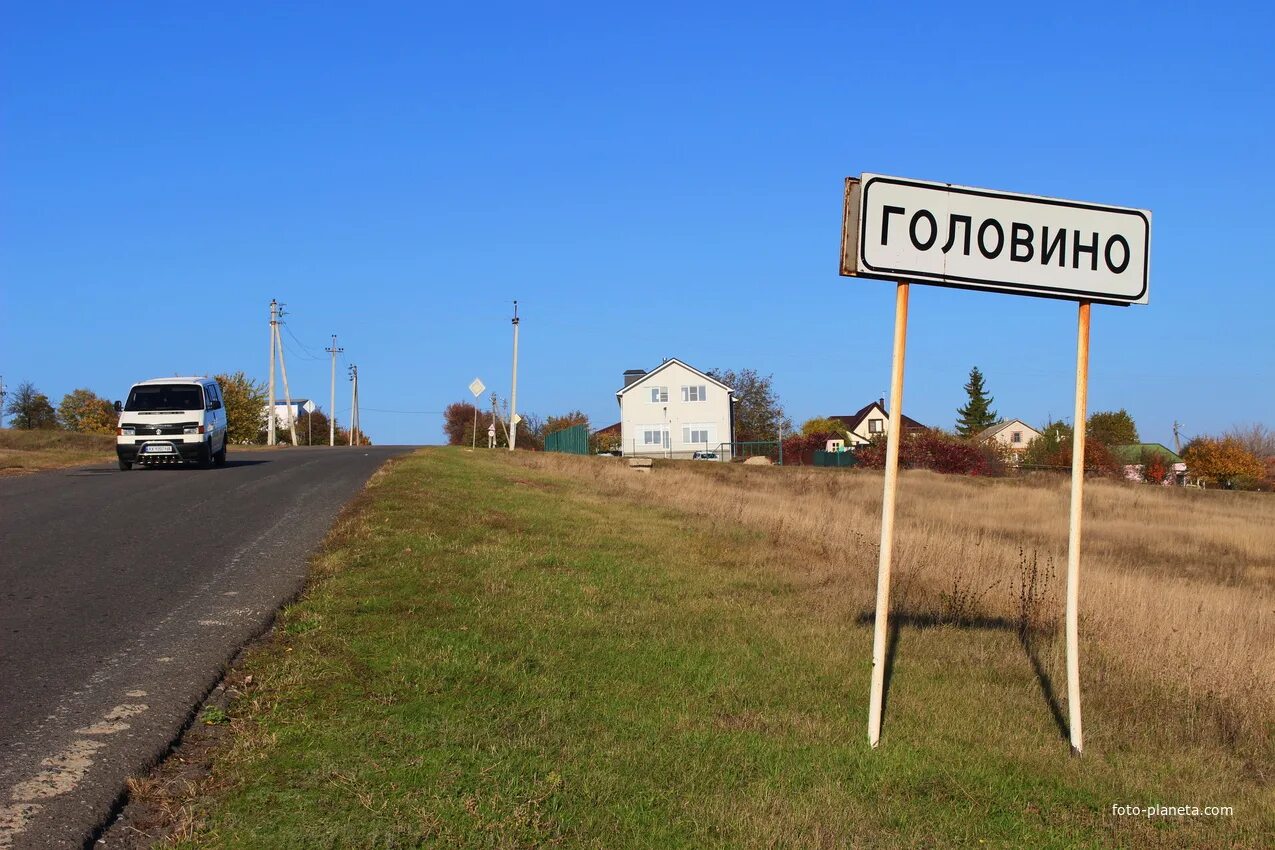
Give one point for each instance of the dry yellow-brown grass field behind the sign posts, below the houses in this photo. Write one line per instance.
(1176, 584)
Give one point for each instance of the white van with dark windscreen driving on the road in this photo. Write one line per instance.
(173, 421)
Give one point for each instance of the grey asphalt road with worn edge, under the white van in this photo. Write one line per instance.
(123, 596)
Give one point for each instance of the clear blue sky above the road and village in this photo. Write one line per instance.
(647, 182)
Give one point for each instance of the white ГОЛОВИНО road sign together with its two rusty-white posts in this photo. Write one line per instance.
(976, 239)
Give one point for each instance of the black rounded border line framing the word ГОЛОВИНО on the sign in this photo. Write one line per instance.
(994, 286)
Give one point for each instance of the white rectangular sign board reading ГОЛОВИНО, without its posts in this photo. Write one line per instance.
(977, 239)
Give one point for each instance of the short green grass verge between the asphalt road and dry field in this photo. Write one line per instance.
(497, 658)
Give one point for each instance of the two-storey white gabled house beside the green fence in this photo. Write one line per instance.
(675, 411)
